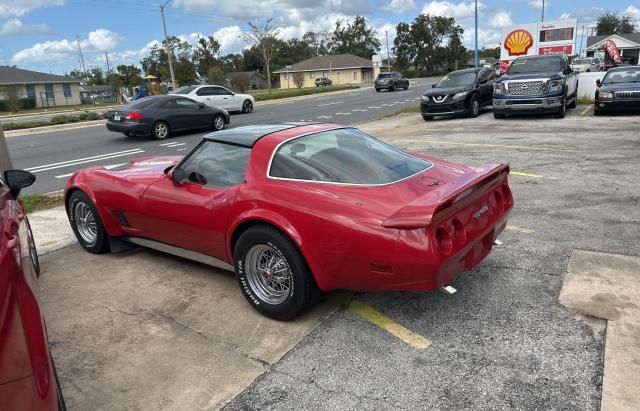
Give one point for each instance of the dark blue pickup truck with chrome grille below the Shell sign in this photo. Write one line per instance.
(536, 84)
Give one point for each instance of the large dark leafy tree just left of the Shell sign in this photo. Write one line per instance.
(428, 42)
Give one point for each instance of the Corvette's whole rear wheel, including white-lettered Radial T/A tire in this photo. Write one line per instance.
(272, 274)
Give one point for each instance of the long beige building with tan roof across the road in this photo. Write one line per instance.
(339, 68)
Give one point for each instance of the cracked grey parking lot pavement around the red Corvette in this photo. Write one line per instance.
(145, 331)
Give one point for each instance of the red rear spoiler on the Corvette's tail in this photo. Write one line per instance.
(420, 213)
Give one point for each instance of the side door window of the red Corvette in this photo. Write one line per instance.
(217, 164)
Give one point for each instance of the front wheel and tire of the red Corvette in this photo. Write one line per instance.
(86, 223)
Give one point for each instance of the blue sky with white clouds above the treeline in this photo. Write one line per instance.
(42, 35)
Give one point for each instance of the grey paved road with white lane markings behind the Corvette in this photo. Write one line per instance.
(54, 156)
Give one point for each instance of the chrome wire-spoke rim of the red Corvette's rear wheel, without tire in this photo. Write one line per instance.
(268, 274)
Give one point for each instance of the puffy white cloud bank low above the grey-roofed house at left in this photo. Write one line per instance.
(100, 40)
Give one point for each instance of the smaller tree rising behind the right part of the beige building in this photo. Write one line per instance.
(354, 38)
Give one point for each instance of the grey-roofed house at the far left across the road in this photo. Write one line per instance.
(36, 89)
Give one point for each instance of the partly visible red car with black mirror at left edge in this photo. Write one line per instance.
(28, 380)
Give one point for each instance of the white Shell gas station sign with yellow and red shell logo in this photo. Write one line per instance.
(553, 37)
